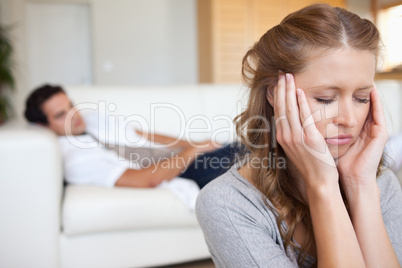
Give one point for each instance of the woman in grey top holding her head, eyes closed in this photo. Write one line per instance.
(324, 201)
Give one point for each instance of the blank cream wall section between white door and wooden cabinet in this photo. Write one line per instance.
(144, 42)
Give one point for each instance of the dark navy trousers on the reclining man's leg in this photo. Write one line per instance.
(211, 165)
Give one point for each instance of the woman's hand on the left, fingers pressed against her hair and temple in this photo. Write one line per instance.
(297, 134)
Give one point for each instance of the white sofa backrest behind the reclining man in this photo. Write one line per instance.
(195, 112)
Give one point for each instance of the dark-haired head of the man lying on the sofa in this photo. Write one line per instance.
(50, 107)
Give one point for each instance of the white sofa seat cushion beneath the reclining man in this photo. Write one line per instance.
(90, 209)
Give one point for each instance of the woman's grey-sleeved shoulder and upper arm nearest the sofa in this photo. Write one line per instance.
(239, 228)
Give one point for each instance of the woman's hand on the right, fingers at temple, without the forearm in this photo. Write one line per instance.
(358, 166)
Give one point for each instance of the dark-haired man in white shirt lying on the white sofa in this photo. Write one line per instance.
(50, 106)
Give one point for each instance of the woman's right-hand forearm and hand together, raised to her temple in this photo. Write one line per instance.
(358, 167)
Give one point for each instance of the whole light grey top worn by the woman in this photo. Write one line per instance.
(241, 231)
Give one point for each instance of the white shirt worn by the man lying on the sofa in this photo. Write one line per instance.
(86, 161)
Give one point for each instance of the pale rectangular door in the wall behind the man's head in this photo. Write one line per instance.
(58, 44)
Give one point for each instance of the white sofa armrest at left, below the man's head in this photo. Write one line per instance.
(30, 196)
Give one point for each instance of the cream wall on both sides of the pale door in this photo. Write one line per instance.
(134, 42)
